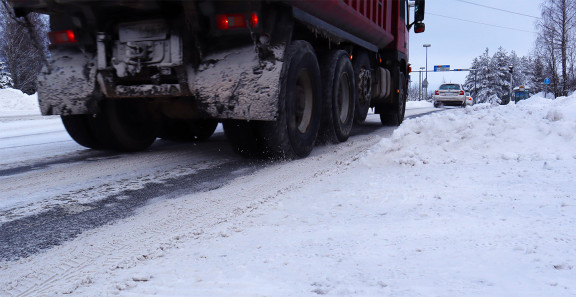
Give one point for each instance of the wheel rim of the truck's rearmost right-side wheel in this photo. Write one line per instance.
(304, 101)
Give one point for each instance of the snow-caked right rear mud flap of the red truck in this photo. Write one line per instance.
(236, 84)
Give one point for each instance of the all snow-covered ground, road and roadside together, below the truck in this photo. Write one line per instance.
(465, 202)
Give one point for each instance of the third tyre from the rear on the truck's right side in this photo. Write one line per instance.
(363, 71)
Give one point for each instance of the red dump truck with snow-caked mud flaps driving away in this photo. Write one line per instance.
(280, 76)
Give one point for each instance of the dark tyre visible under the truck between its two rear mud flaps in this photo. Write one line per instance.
(187, 130)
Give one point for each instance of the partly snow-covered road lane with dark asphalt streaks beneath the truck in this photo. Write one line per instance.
(53, 189)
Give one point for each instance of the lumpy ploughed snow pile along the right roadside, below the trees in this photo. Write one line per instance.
(537, 130)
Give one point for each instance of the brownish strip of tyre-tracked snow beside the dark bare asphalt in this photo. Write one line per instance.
(161, 226)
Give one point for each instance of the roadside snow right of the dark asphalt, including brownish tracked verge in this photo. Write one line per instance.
(478, 201)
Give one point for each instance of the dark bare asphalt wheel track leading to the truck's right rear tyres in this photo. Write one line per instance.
(30, 235)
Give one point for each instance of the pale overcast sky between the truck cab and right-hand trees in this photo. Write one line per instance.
(456, 42)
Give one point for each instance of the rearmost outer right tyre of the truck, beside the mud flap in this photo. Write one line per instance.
(294, 133)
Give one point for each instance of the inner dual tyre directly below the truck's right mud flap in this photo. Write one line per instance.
(243, 137)
